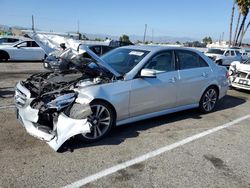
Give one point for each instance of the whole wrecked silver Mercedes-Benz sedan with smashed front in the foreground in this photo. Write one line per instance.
(125, 85)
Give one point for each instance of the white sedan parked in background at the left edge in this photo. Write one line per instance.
(27, 50)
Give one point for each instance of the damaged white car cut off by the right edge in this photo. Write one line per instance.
(239, 74)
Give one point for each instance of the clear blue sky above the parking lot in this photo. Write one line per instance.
(177, 18)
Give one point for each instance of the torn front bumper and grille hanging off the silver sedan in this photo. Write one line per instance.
(63, 128)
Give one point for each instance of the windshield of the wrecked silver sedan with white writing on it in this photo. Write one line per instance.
(124, 60)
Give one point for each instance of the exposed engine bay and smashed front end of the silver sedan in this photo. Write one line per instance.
(46, 101)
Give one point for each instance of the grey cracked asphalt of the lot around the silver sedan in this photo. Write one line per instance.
(221, 159)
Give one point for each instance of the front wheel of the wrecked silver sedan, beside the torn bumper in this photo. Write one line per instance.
(102, 121)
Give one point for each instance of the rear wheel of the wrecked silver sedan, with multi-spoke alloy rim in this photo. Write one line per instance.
(209, 100)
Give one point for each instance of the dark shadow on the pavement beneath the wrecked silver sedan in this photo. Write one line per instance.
(121, 133)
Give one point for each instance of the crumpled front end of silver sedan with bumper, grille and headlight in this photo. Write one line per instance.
(49, 117)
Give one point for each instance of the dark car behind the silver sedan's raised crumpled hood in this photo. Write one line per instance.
(55, 62)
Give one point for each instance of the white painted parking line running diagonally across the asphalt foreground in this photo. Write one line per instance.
(152, 154)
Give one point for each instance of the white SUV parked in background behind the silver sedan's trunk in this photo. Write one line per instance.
(223, 56)
